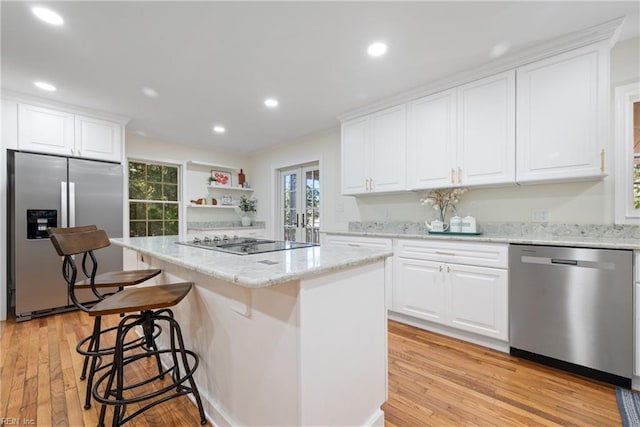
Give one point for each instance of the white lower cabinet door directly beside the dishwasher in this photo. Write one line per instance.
(477, 299)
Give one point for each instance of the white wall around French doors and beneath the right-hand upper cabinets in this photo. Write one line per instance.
(581, 202)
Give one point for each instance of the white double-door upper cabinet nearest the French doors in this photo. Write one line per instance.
(373, 152)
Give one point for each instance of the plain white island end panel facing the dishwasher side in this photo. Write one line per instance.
(343, 347)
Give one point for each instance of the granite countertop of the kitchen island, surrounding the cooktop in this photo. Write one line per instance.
(253, 271)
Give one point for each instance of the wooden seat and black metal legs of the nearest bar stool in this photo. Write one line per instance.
(153, 304)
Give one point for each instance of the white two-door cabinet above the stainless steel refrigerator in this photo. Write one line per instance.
(47, 130)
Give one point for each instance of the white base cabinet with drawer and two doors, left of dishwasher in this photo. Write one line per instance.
(458, 285)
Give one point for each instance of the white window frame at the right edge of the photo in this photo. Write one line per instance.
(625, 97)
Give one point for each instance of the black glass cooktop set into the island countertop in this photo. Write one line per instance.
(245, 246)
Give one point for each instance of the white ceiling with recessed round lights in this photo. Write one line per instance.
(216, 62)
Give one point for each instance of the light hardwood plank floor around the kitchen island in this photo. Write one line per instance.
(433, 380)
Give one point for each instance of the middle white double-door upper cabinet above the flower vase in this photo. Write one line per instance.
(463, 136)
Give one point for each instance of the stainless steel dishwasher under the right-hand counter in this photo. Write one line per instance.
(572, 308)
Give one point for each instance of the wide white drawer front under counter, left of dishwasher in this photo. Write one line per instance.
(480, 254)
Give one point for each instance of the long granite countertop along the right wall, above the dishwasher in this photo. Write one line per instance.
(585, 241)
